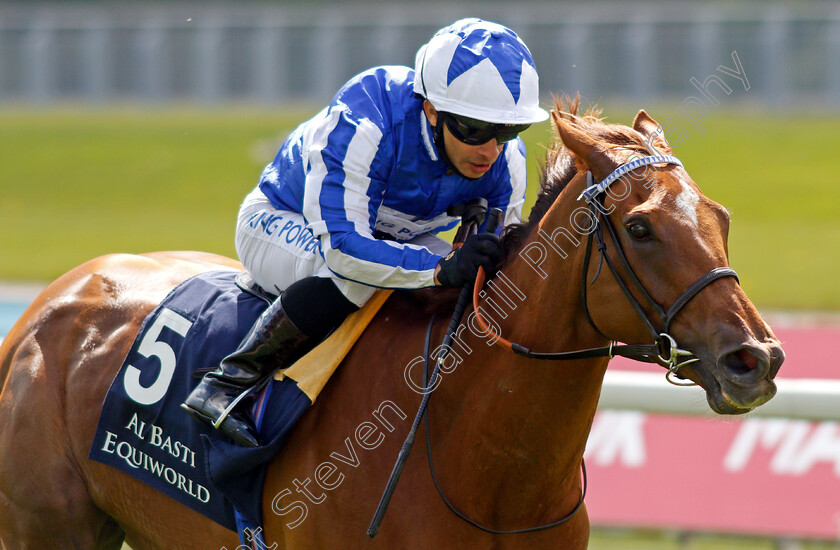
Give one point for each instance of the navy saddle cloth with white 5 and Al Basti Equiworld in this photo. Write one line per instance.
(143, 432)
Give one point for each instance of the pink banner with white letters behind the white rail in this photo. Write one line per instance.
(762, 476)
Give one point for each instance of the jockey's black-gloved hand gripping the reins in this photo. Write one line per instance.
(461, 265)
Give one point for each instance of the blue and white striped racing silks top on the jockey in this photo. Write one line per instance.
(367, 165)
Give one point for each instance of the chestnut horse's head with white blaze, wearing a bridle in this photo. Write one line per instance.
(661, 239)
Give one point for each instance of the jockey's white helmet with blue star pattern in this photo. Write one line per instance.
(480, 70)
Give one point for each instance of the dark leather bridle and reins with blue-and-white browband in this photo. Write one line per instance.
(665, 349)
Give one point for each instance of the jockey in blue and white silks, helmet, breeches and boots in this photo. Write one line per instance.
(354, 197)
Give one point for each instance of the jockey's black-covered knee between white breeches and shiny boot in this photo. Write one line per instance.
(316, 306)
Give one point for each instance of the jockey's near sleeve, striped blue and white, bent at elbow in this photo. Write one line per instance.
(347, 164)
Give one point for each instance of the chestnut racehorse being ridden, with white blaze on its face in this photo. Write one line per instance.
(507, 432)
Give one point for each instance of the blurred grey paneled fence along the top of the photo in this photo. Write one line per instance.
(303, 51)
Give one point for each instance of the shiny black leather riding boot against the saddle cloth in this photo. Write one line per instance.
(273, 342)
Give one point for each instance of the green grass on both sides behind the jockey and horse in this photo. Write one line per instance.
(77, 183)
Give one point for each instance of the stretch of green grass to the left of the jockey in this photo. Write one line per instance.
(78, 184)
